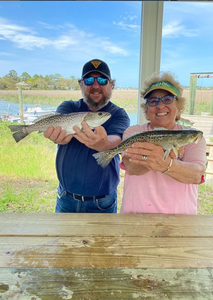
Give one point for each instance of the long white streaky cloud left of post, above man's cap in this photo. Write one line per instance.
(28, 39)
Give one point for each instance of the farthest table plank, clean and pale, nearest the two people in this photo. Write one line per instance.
(47, 224)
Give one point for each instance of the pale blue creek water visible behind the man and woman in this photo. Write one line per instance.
(12, 108)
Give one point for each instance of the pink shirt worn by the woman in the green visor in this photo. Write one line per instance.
(155, 192)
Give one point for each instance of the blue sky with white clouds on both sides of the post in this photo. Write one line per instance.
(58, 37)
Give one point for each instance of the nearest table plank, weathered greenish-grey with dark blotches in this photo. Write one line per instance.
(107, 284)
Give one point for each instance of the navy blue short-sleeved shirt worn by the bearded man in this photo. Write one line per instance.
(77, 170)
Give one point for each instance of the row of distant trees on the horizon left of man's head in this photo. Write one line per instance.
(38, 82)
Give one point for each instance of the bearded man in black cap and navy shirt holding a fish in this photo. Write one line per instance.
(83, 185)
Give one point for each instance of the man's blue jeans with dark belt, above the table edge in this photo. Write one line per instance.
(67, 204)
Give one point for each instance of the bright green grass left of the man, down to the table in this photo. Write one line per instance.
(27, 173)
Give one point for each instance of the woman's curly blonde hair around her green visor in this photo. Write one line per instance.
(167, 77)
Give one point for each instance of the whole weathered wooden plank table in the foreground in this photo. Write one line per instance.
(105, 256)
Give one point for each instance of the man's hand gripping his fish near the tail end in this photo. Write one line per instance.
(57, 135)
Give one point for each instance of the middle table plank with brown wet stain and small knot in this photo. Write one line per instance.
(106, 252)
